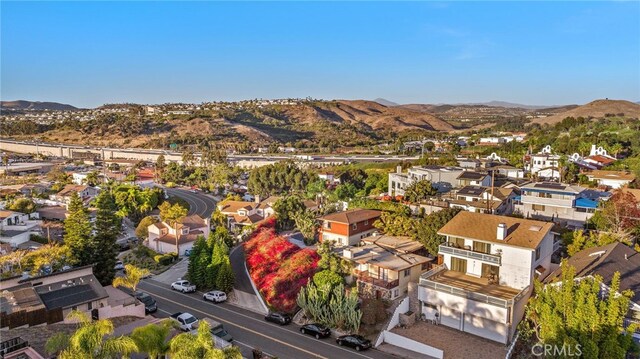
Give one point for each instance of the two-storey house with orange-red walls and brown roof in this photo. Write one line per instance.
(347, 228)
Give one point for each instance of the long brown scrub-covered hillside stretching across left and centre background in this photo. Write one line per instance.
(318, 123)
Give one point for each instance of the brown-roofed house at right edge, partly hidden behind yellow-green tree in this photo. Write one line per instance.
(605, 261)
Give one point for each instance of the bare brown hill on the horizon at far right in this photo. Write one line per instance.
(595, 109)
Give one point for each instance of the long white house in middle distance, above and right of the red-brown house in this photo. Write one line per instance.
(442, 178)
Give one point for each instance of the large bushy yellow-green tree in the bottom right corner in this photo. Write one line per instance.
(572, 312)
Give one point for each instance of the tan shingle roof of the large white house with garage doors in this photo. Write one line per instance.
(525, 233)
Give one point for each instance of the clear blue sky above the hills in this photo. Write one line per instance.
(540, 53)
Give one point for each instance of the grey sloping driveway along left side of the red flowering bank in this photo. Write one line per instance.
(246, 296)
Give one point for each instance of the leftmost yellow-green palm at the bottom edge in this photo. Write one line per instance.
(88, 341)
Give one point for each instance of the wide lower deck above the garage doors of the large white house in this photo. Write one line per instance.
(477, 289)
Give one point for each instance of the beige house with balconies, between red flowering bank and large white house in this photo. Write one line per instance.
(384, 266)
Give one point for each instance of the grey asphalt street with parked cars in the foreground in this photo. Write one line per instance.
(250, 330)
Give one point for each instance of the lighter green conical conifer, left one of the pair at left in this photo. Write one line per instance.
(78, 232)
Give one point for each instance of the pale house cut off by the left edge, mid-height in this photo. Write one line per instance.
(16, 228)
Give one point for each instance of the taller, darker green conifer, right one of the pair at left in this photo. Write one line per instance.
(107, 228)
